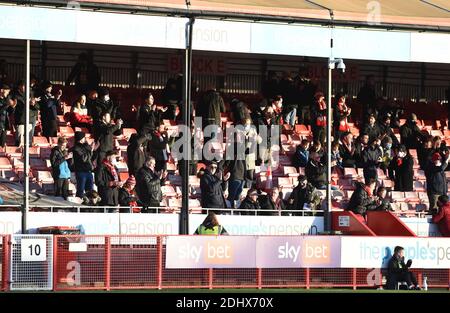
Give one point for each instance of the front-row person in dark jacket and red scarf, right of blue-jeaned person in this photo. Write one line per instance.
(107, 181)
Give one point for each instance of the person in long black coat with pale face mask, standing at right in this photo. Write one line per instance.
(402, 166)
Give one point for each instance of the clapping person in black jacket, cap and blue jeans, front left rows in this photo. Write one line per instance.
(83, 157)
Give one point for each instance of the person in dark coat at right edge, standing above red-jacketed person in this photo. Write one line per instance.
(436, 179)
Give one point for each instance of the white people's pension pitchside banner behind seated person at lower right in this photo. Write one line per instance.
(375, 252)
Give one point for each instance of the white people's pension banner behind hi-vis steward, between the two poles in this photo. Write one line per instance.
(238, 225)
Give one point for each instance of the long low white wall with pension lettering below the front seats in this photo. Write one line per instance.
(168, 224)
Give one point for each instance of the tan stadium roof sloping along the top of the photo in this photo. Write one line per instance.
(391, 12)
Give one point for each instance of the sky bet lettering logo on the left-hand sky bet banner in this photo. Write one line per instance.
(211, 252)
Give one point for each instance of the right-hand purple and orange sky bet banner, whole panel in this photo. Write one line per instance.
(304, 251)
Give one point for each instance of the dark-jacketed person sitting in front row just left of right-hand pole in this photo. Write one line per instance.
(303, 197)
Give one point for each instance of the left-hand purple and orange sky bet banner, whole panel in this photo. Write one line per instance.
(210, 251)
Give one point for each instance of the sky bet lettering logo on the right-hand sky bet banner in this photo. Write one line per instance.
(310, 252)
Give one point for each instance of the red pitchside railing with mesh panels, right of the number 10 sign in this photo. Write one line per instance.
(137, 262)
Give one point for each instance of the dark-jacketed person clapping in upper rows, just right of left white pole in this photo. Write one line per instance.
(48, 106)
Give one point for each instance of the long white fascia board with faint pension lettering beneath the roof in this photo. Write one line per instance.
(243, 37)
